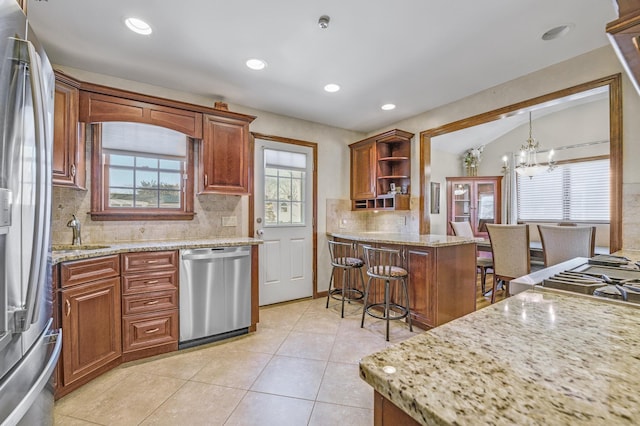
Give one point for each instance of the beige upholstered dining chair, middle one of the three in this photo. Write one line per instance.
(511, 257)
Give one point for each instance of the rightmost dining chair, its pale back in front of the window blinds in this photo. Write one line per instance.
(560, 243)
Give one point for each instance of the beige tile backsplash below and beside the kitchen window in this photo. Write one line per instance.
(210, 210)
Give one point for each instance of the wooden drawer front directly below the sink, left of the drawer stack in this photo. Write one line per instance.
(82, 271)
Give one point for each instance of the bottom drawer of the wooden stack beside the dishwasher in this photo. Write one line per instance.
(147, 330)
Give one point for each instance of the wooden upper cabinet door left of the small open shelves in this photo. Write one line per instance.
(363, 176)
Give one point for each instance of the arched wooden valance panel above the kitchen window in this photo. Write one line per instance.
(97, 107)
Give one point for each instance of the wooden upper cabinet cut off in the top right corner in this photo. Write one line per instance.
(624, 34)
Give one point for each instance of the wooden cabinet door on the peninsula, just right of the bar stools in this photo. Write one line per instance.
(422, 294)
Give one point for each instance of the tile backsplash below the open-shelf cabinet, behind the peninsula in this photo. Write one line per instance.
(340, 218)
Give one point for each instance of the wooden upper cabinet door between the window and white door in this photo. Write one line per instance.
(224, 159)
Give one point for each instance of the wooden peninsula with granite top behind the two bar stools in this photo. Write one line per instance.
(442, 272)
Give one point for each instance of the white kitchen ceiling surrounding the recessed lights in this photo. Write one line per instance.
(416, 54)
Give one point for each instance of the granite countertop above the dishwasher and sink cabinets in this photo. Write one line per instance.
(58, 256)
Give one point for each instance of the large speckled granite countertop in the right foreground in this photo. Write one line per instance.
(540, 357)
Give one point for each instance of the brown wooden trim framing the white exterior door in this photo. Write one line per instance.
(314, 207)
